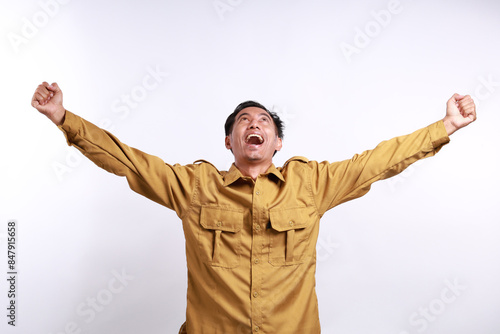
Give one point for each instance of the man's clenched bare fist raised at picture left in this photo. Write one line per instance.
(47, 99)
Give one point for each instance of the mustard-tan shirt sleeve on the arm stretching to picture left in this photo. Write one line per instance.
(148, 175)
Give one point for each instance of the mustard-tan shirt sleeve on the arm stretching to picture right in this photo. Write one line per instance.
(339, 182)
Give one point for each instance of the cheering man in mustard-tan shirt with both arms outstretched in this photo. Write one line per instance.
(251, 232)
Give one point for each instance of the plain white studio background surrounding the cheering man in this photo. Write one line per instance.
(383, 260)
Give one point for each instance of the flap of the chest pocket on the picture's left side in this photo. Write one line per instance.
(222, 219)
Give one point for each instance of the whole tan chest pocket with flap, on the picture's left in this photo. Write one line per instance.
(220, 236)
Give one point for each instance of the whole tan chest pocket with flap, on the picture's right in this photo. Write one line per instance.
(289, 236)
